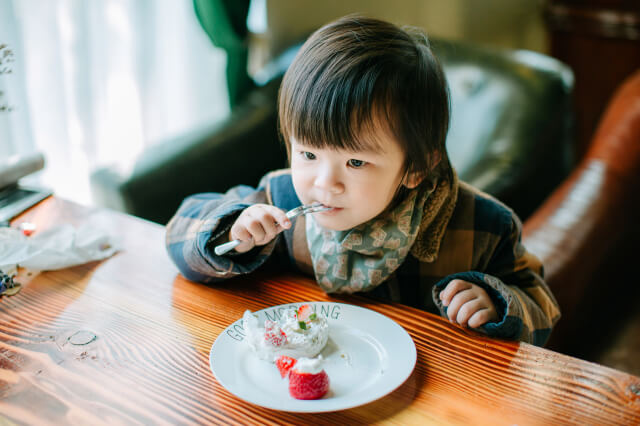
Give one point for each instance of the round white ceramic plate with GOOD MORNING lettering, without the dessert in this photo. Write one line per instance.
(367, 356)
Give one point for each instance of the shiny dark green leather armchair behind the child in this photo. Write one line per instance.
(509, 136)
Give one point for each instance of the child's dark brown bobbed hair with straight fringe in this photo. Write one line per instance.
(356, 69)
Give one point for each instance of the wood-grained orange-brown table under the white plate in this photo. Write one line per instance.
(154, 329)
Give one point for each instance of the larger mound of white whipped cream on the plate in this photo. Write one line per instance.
(301, 343)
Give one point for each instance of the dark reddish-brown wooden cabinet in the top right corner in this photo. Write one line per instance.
(600, 40)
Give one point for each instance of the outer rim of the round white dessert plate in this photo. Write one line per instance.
(412, 357)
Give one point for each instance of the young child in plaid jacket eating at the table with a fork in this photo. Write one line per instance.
(364, 114)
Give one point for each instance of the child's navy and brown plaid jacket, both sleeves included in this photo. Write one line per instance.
(481, 245)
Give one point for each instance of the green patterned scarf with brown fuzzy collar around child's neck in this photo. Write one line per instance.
(363, 257)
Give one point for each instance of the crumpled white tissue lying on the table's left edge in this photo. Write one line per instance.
(55, 248)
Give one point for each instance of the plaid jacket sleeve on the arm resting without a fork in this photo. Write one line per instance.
(513, 278)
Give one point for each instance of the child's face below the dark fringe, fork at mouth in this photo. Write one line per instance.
(358, 185)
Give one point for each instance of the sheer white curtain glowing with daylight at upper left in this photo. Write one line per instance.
(95, 82)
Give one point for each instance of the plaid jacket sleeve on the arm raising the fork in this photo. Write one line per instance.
(204, 218)
